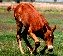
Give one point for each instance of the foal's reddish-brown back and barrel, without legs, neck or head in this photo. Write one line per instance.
(29, 16)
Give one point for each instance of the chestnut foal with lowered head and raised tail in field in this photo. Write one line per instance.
(30, 22)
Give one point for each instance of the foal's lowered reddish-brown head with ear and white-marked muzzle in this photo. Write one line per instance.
(48, 37)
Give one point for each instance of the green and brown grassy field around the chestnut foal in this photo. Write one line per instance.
(8, 43)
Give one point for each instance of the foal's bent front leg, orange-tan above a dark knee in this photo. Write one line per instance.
(34, 37)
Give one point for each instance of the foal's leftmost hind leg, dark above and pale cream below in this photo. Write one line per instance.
(19, 36)
